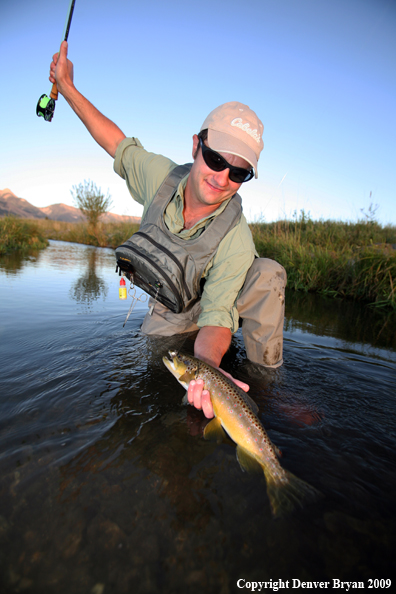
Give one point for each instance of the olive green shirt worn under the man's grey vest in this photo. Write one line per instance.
(144, 173)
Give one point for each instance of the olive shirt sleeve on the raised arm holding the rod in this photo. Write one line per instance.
(143, 172)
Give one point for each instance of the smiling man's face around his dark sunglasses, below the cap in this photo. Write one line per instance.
(208, 187)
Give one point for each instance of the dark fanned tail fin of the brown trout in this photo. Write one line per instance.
(286, 492)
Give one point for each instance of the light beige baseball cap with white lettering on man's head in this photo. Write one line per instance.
(234, 128)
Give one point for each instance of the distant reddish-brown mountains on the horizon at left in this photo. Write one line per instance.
(19, 207)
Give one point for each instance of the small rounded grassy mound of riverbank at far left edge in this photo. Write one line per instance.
(20, 234)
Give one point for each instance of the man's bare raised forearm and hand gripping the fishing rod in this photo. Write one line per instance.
(103, 130)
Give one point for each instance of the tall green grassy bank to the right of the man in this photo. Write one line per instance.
(353, 260)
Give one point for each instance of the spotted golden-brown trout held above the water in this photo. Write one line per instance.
(235, 412)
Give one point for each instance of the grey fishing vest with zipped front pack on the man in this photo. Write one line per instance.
(164, 265)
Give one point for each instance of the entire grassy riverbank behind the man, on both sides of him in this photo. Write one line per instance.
(350, 260)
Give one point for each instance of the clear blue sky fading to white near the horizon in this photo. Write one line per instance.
(320, 74)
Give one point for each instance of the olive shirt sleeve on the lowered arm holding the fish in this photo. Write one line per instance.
(225, 277)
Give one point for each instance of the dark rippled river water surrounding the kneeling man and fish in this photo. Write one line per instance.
(106, 483)
